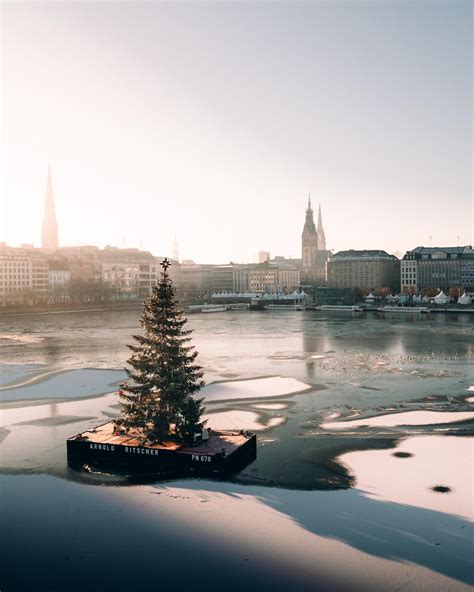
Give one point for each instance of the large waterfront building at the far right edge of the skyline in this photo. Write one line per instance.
(445, 268)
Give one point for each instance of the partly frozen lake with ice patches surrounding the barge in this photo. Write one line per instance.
(332, 399)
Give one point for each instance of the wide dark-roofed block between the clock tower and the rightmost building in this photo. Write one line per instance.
(363, 270)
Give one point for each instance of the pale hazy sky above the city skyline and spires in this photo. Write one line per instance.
(212, 120)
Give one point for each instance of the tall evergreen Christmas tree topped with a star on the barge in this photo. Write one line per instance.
(159, 399)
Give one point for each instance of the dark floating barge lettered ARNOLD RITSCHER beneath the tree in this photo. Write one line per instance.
(103, 446)
